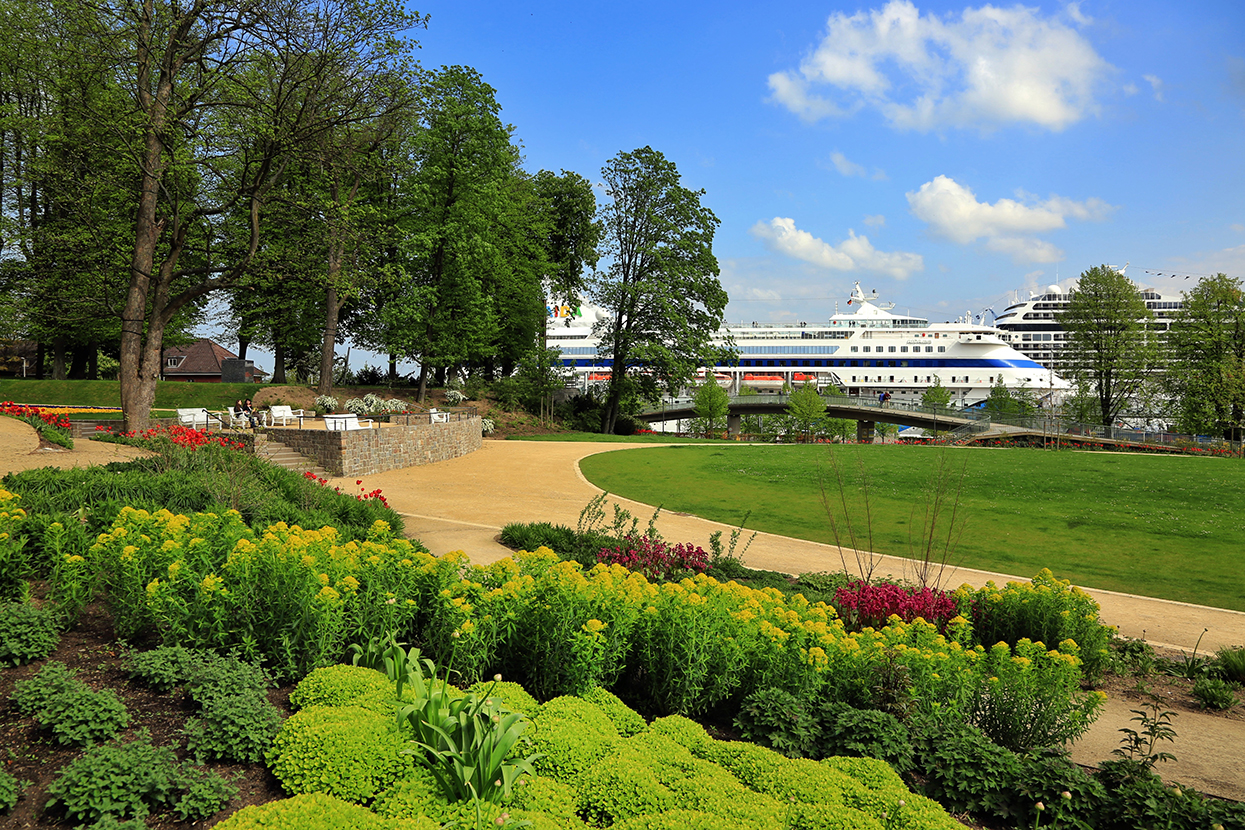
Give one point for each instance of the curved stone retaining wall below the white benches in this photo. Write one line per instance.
(363, 452)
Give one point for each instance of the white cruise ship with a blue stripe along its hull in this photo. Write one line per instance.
(866, 352)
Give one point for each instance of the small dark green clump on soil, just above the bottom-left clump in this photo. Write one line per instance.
(73, 711)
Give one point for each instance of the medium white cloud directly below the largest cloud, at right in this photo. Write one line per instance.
(1008, 227)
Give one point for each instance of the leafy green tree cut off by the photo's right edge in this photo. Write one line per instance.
(1207, 353)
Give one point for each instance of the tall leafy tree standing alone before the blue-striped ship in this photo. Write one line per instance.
(662, 286)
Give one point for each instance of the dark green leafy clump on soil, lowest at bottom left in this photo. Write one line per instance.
(126, 781)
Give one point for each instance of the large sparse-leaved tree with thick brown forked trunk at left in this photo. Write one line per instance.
(216, 96)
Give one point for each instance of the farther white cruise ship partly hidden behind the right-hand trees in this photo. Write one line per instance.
(1033, 327)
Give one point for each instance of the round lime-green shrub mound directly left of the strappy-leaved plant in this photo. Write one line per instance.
(348, 752)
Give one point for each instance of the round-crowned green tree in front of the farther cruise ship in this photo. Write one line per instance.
(1109, 340)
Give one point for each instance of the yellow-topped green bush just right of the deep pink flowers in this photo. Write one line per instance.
(1046, 610)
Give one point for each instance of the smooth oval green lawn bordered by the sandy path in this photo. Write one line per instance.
(1167, 527)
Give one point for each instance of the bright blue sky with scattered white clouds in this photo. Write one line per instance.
(943, 154)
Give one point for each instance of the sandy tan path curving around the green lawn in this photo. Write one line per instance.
(463, 505)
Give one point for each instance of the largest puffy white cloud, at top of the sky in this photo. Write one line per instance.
(988, 68)
